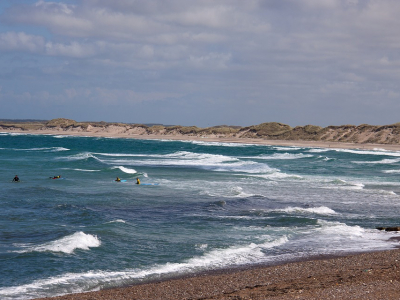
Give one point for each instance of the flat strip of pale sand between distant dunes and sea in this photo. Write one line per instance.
(255, 141)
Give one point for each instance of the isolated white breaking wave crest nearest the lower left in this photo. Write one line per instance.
(67, 244)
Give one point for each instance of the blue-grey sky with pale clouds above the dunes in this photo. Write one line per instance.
(201, 62)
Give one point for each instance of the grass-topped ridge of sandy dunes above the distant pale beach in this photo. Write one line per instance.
(363, 134)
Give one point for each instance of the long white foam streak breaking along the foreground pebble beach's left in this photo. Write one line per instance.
(94, 280)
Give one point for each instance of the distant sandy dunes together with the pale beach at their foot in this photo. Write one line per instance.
(346, 136)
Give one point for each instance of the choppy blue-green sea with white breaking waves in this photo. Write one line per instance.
(213, 206)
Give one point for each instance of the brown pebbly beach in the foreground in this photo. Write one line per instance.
(371, 275)
